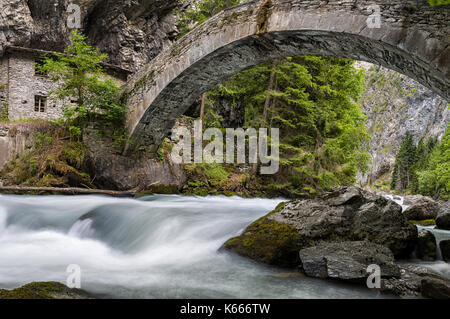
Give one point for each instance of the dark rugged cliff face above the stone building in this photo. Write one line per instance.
(131, 31)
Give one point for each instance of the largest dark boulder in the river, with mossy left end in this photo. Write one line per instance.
(345, 214)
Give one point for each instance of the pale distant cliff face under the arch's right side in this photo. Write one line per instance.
(396, 105)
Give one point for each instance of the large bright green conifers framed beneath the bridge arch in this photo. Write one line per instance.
(313, 102)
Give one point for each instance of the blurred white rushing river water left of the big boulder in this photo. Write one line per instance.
(163, 246)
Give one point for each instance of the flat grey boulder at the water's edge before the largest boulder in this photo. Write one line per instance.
(347, 260)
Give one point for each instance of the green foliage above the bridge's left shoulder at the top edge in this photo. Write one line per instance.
(201, 11)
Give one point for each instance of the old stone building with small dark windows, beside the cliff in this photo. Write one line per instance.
(24, 92)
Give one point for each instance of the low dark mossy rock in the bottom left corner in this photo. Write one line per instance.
(44, 290)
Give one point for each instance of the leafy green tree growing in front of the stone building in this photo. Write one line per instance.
(87, 92)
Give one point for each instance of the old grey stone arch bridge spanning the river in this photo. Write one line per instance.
(413, 39)
